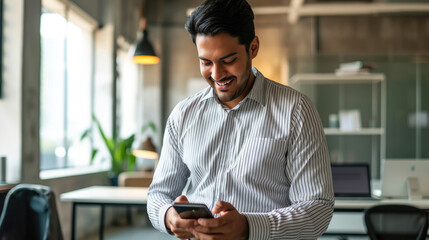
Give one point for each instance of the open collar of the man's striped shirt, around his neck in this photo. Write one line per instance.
(257, 92)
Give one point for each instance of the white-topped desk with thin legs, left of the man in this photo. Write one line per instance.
(104, 196)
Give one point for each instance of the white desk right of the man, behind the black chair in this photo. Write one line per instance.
(348, 214)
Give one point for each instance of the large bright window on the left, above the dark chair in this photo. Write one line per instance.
(67, 40)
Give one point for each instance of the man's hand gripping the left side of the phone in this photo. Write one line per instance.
(181, 228)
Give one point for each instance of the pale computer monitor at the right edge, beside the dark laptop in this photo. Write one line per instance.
(402, 178)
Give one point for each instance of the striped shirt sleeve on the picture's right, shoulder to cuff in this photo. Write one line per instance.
(311, 191)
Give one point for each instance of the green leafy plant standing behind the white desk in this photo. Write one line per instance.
(119, 149)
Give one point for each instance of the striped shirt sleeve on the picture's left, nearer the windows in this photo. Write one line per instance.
(170, 176)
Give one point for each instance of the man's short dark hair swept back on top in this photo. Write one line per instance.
(213, 17)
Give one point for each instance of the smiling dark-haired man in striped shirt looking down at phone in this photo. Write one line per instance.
(254, 150)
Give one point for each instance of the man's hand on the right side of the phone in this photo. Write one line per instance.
(230, 225)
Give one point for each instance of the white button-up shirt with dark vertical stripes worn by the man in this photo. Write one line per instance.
(267, 157)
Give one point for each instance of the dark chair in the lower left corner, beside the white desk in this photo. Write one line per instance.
(30, 213)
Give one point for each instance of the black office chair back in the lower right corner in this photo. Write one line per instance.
(396, 222)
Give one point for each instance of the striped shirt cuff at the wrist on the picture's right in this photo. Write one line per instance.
(259, 226)
